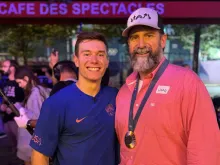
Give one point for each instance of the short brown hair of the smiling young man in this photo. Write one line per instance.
(89, 36)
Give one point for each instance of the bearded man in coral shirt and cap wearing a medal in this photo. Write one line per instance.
(164, 113)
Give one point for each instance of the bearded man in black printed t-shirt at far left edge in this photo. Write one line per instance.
(8, 145)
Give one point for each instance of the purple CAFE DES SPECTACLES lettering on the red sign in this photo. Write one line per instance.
(76, 8)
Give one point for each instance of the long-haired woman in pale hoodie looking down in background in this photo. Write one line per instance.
(35, 94)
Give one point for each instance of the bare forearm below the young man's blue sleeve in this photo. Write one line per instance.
(38, 158)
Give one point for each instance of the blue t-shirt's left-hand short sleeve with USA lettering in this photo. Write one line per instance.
(48, 128)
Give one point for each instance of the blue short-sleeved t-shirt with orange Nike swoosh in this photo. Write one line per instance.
(75, 128)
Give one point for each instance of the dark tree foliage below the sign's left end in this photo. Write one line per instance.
(21, 39)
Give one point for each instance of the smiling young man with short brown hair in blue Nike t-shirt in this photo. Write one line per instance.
(76, 125)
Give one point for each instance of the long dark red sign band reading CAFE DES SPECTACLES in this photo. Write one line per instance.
(120, 9)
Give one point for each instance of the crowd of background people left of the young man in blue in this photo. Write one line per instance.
(22, 86)
